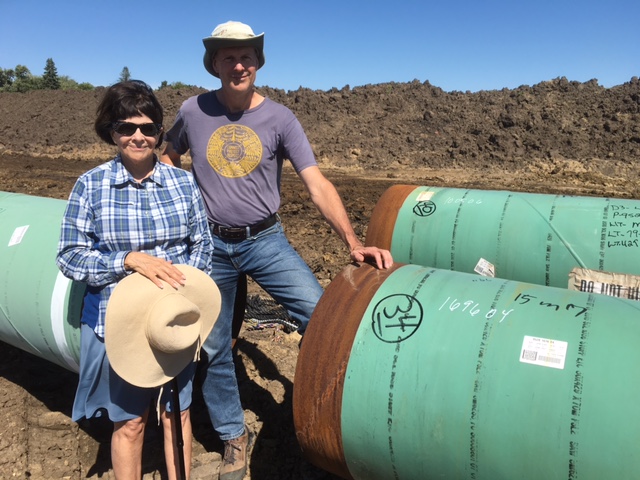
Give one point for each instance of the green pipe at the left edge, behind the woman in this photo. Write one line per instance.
(39, 307)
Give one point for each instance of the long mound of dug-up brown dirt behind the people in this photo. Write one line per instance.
(388, 126)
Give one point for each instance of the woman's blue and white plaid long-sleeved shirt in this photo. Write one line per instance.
(109, 215)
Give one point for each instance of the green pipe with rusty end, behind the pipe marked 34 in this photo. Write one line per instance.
(528, 237)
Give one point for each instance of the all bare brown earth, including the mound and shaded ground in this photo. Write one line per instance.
(555, 137)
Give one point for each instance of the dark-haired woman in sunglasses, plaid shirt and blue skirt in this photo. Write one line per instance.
(131, 214)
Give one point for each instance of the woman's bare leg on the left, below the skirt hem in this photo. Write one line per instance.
(126, 447)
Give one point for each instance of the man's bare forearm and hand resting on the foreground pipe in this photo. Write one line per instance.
(328, 202)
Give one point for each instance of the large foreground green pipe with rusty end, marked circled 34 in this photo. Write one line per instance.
(451, 375)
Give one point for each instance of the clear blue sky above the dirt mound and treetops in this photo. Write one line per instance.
(455, 45)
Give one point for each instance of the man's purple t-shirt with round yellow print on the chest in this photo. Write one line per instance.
(237, 158)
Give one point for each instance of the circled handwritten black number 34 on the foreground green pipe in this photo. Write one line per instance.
(396, 317)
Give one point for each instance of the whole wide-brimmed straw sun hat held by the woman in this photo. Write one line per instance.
(152, 334)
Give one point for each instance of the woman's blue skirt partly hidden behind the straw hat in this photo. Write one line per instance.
(101, 390)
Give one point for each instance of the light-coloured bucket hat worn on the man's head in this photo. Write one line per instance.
(231, 34)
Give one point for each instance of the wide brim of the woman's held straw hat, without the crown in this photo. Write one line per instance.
(128, 350)
